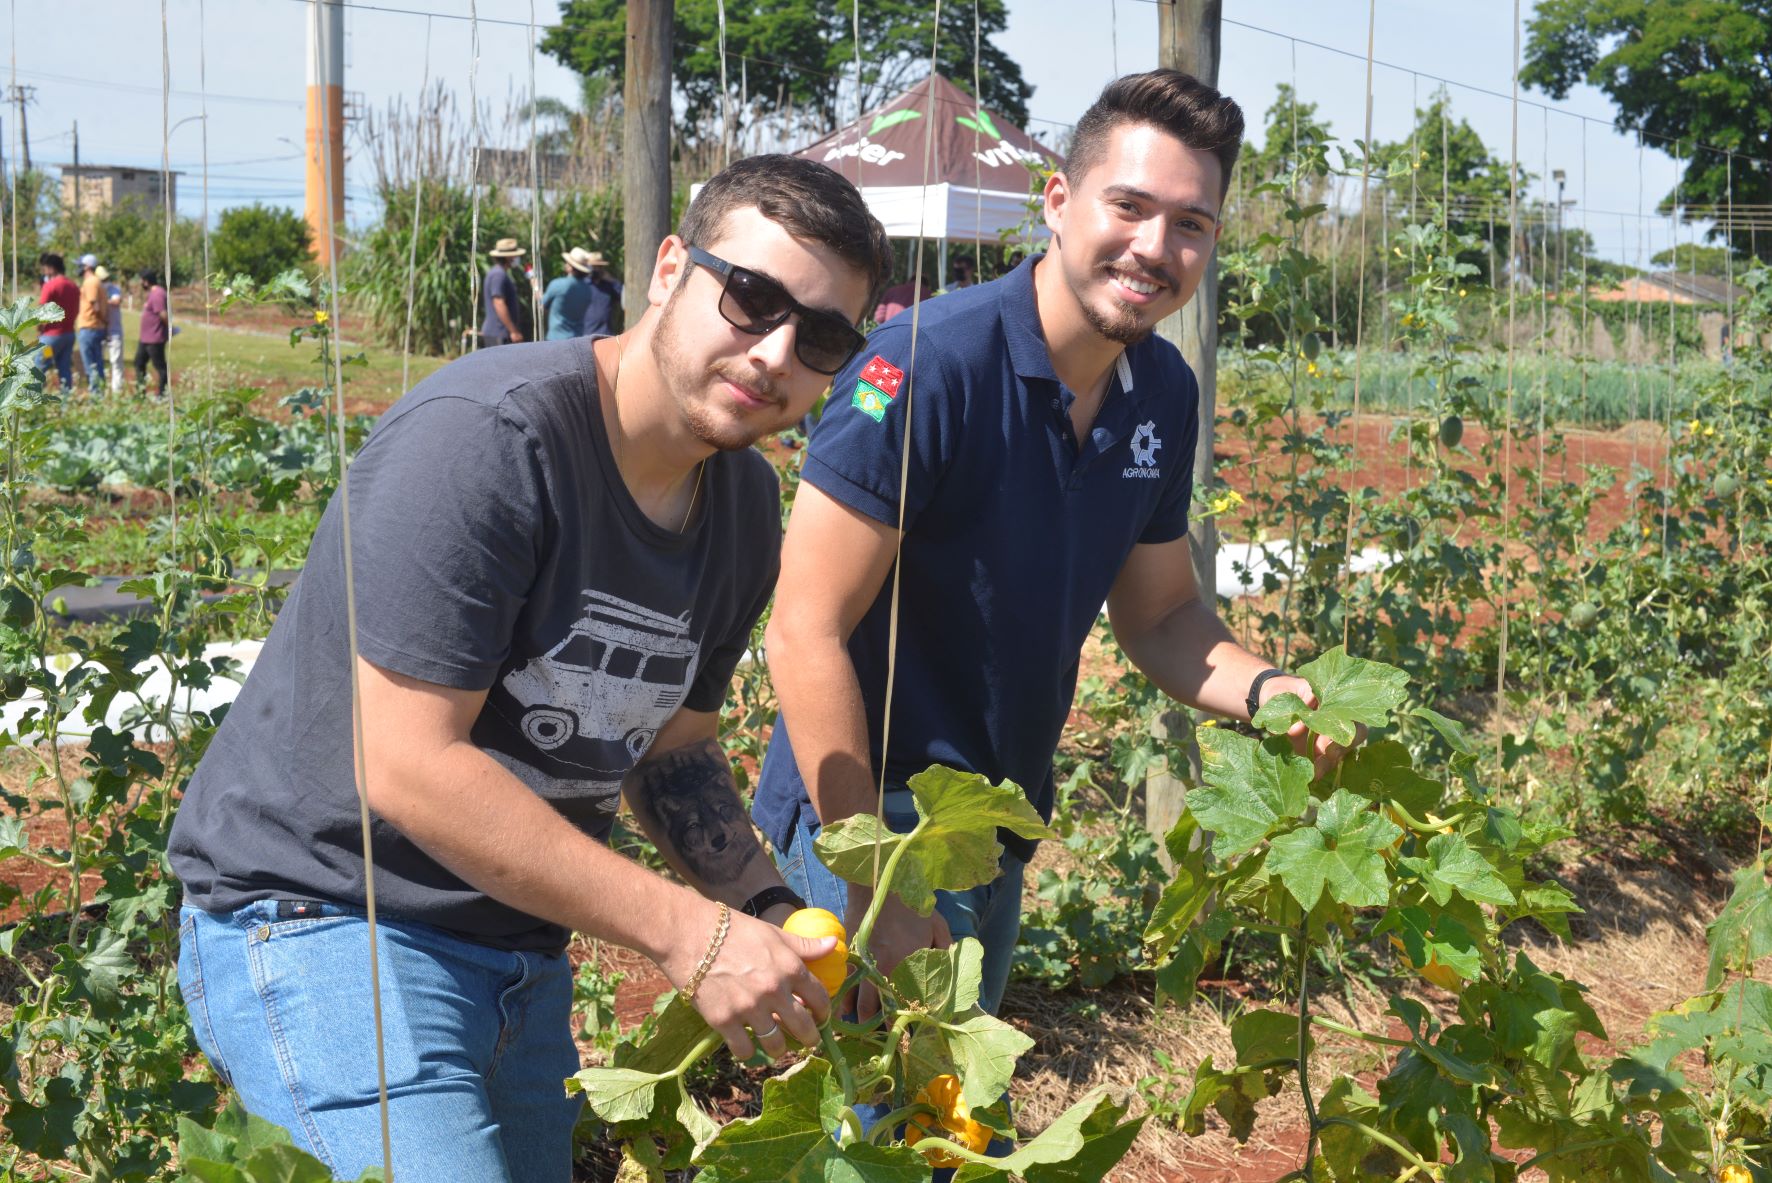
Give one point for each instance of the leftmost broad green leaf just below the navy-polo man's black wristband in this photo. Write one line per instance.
(1250, 789)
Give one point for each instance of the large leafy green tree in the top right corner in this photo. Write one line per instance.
(1688, 73)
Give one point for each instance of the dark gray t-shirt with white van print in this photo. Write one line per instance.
(495, 548)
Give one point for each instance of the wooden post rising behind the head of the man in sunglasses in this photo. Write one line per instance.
(646, 148)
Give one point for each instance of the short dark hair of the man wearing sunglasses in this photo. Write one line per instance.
(805, 199)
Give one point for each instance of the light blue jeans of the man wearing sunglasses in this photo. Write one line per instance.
(478, 1040)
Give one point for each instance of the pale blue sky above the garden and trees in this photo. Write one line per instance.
(104, 72)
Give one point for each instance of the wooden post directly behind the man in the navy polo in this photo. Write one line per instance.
(1190, 40)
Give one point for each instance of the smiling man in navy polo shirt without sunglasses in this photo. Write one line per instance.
(1050, 470)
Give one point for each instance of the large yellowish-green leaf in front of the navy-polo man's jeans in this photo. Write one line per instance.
(952, 849)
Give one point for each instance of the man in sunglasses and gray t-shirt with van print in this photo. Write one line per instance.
(557, 561)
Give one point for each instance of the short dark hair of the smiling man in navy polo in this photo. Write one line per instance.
(1179, 104)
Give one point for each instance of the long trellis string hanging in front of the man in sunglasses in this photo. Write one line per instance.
(350, 608)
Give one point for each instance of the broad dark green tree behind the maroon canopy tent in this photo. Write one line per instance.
(798, 56)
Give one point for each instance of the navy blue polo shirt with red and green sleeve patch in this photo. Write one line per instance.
(1014, 530)
